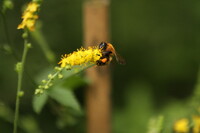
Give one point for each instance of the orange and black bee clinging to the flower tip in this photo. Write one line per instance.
(108, 51)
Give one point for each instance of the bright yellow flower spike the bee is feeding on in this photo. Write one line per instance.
(81, 56)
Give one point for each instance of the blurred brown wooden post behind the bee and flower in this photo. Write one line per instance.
(96, 30)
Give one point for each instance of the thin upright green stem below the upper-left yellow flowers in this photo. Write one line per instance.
(19, 86)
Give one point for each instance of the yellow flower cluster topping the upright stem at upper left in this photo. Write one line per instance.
(29, 17)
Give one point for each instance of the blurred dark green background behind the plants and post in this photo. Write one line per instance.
(158, 39)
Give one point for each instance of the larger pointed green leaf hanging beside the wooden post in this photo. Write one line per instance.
(64, 97)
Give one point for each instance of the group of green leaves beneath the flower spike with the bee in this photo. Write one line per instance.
(59, 92)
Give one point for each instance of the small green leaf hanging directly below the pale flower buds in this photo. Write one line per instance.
(39, 101)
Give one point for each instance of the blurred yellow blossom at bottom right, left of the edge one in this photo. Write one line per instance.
(181, 126)
